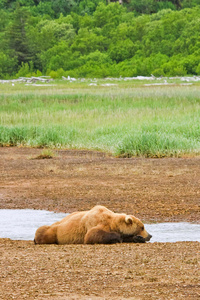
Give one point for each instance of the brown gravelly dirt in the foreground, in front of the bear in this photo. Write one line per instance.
(122, 271)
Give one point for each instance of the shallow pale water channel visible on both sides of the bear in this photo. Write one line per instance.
(21, 224)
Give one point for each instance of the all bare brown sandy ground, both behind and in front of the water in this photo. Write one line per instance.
(154, 190)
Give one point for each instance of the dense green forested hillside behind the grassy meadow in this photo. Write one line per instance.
(99, 38)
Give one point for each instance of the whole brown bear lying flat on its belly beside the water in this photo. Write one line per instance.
(96, 226)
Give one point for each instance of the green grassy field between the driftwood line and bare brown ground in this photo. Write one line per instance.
(126, 119)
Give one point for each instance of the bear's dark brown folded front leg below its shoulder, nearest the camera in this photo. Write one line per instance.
(97, 235)
